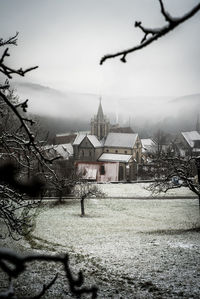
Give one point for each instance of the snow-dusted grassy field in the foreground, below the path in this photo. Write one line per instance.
(129, 248)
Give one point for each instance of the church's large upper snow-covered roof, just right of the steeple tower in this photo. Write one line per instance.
(121, 140)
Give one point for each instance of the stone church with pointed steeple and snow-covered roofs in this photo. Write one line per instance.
(104, 155)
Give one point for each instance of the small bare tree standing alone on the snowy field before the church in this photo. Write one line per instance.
(85, 190)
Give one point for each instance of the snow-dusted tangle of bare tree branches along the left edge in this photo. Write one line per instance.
(19, 152)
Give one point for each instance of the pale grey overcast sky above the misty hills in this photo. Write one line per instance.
(67, 38)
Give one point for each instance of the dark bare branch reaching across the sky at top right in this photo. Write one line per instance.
(153, 34)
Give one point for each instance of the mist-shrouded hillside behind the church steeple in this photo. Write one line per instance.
(63, 111)
